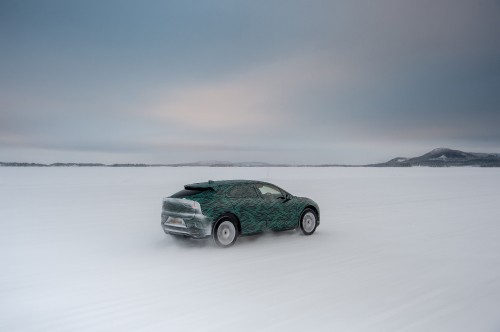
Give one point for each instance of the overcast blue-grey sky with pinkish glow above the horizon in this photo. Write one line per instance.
(275, 81)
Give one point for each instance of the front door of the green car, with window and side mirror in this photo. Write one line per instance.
(276, 209)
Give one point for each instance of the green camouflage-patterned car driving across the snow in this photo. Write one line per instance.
(228, 209)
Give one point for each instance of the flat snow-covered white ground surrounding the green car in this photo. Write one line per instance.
(398, 249)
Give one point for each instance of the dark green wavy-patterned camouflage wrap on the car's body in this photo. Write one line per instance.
(256, 212)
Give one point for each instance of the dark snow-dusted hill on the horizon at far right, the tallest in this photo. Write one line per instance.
(444, 157)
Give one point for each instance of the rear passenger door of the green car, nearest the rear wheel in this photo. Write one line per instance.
(246, 204)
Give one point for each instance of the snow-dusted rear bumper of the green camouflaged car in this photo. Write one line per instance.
(197, 226)
